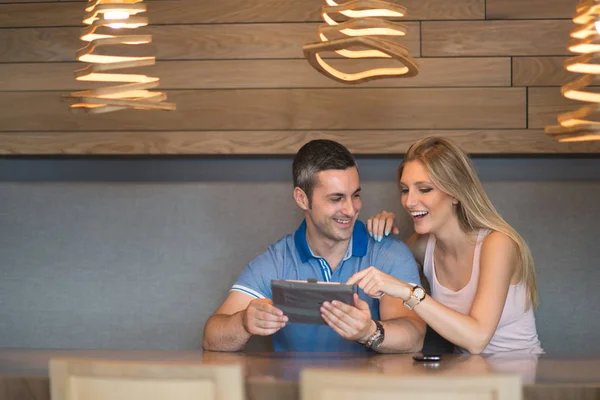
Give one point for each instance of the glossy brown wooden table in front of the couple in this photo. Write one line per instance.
(274, 376)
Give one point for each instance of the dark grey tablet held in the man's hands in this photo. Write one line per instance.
(301, 301)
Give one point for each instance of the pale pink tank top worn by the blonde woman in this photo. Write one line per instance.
(516, 329)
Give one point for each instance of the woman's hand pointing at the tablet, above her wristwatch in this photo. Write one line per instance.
(376, 283)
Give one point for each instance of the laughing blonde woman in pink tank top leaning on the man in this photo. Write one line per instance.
(483, 286)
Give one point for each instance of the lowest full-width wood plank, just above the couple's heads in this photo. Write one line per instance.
(276, 142)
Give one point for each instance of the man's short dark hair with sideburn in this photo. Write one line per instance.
(316, 156)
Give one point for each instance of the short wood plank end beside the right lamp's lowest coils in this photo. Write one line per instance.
(545, 104)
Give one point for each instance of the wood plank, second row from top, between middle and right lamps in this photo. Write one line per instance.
(495, 38)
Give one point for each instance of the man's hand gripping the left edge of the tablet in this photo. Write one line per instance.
(262, 318)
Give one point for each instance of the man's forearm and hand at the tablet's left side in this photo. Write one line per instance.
(239, 317)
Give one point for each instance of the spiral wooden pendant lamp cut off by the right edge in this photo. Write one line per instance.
(584, 123)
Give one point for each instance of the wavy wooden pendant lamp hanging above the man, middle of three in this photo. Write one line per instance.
(365, 29)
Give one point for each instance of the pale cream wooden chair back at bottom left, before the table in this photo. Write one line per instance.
(89, 379)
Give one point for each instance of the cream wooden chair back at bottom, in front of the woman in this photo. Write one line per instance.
(323, 384)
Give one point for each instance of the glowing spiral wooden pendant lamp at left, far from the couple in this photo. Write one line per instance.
(106, 21)
